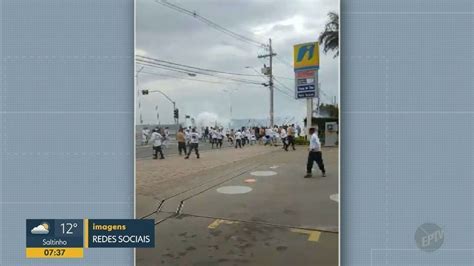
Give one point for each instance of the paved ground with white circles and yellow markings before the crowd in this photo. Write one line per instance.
(280, 218)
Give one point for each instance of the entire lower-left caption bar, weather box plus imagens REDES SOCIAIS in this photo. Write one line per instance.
(67, 238)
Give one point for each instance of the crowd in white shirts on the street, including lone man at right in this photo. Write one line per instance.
(188, 140)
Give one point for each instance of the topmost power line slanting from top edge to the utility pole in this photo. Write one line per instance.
(211, 23)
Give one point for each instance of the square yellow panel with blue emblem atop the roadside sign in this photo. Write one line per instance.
(306, 56)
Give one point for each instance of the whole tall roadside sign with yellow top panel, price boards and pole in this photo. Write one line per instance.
(306, 66)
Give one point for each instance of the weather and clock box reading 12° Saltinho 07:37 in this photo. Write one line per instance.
(49, 238)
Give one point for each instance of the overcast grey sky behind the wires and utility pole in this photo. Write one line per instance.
(166, 34)
